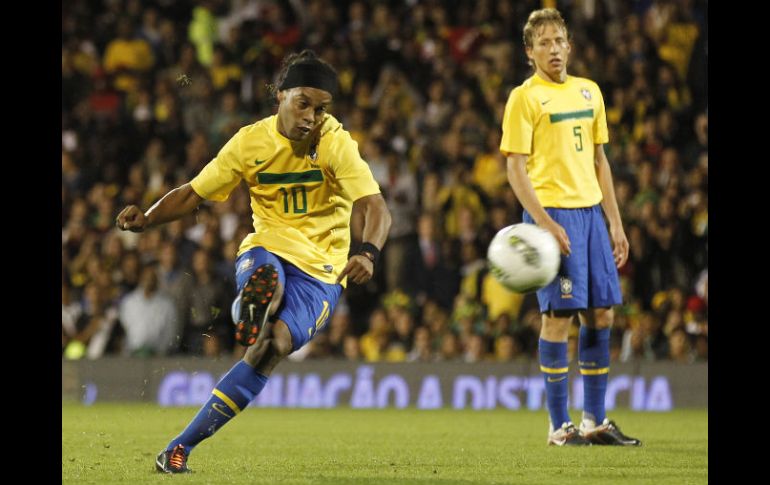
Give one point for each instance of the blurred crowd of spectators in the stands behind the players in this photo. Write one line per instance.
(151, 90)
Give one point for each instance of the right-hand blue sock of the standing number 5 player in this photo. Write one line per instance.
(594, 361)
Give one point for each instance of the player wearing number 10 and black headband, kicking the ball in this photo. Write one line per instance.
(305, 175)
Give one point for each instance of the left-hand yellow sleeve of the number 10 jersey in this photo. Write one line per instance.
(222, 174)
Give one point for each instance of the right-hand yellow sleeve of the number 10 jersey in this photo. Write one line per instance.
(350, 170)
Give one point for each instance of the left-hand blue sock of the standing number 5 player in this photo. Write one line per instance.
(555, 367)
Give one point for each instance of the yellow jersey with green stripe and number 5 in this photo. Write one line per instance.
(557, 125)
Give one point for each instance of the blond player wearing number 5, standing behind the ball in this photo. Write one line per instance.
(554, 129)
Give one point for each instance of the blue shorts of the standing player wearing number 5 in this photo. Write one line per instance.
(588, 277)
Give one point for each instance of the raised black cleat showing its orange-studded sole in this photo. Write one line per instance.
(255, 302)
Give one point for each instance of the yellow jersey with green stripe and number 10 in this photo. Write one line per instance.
(301, 199)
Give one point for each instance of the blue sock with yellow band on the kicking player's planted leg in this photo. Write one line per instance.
(230, 396)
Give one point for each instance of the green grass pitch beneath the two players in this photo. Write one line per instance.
(117, 443)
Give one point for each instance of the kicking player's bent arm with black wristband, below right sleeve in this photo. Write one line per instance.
(360, 267)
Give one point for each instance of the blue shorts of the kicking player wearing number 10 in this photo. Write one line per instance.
(307, 302)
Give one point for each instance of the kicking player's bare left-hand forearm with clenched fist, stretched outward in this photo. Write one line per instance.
(174, 205)
